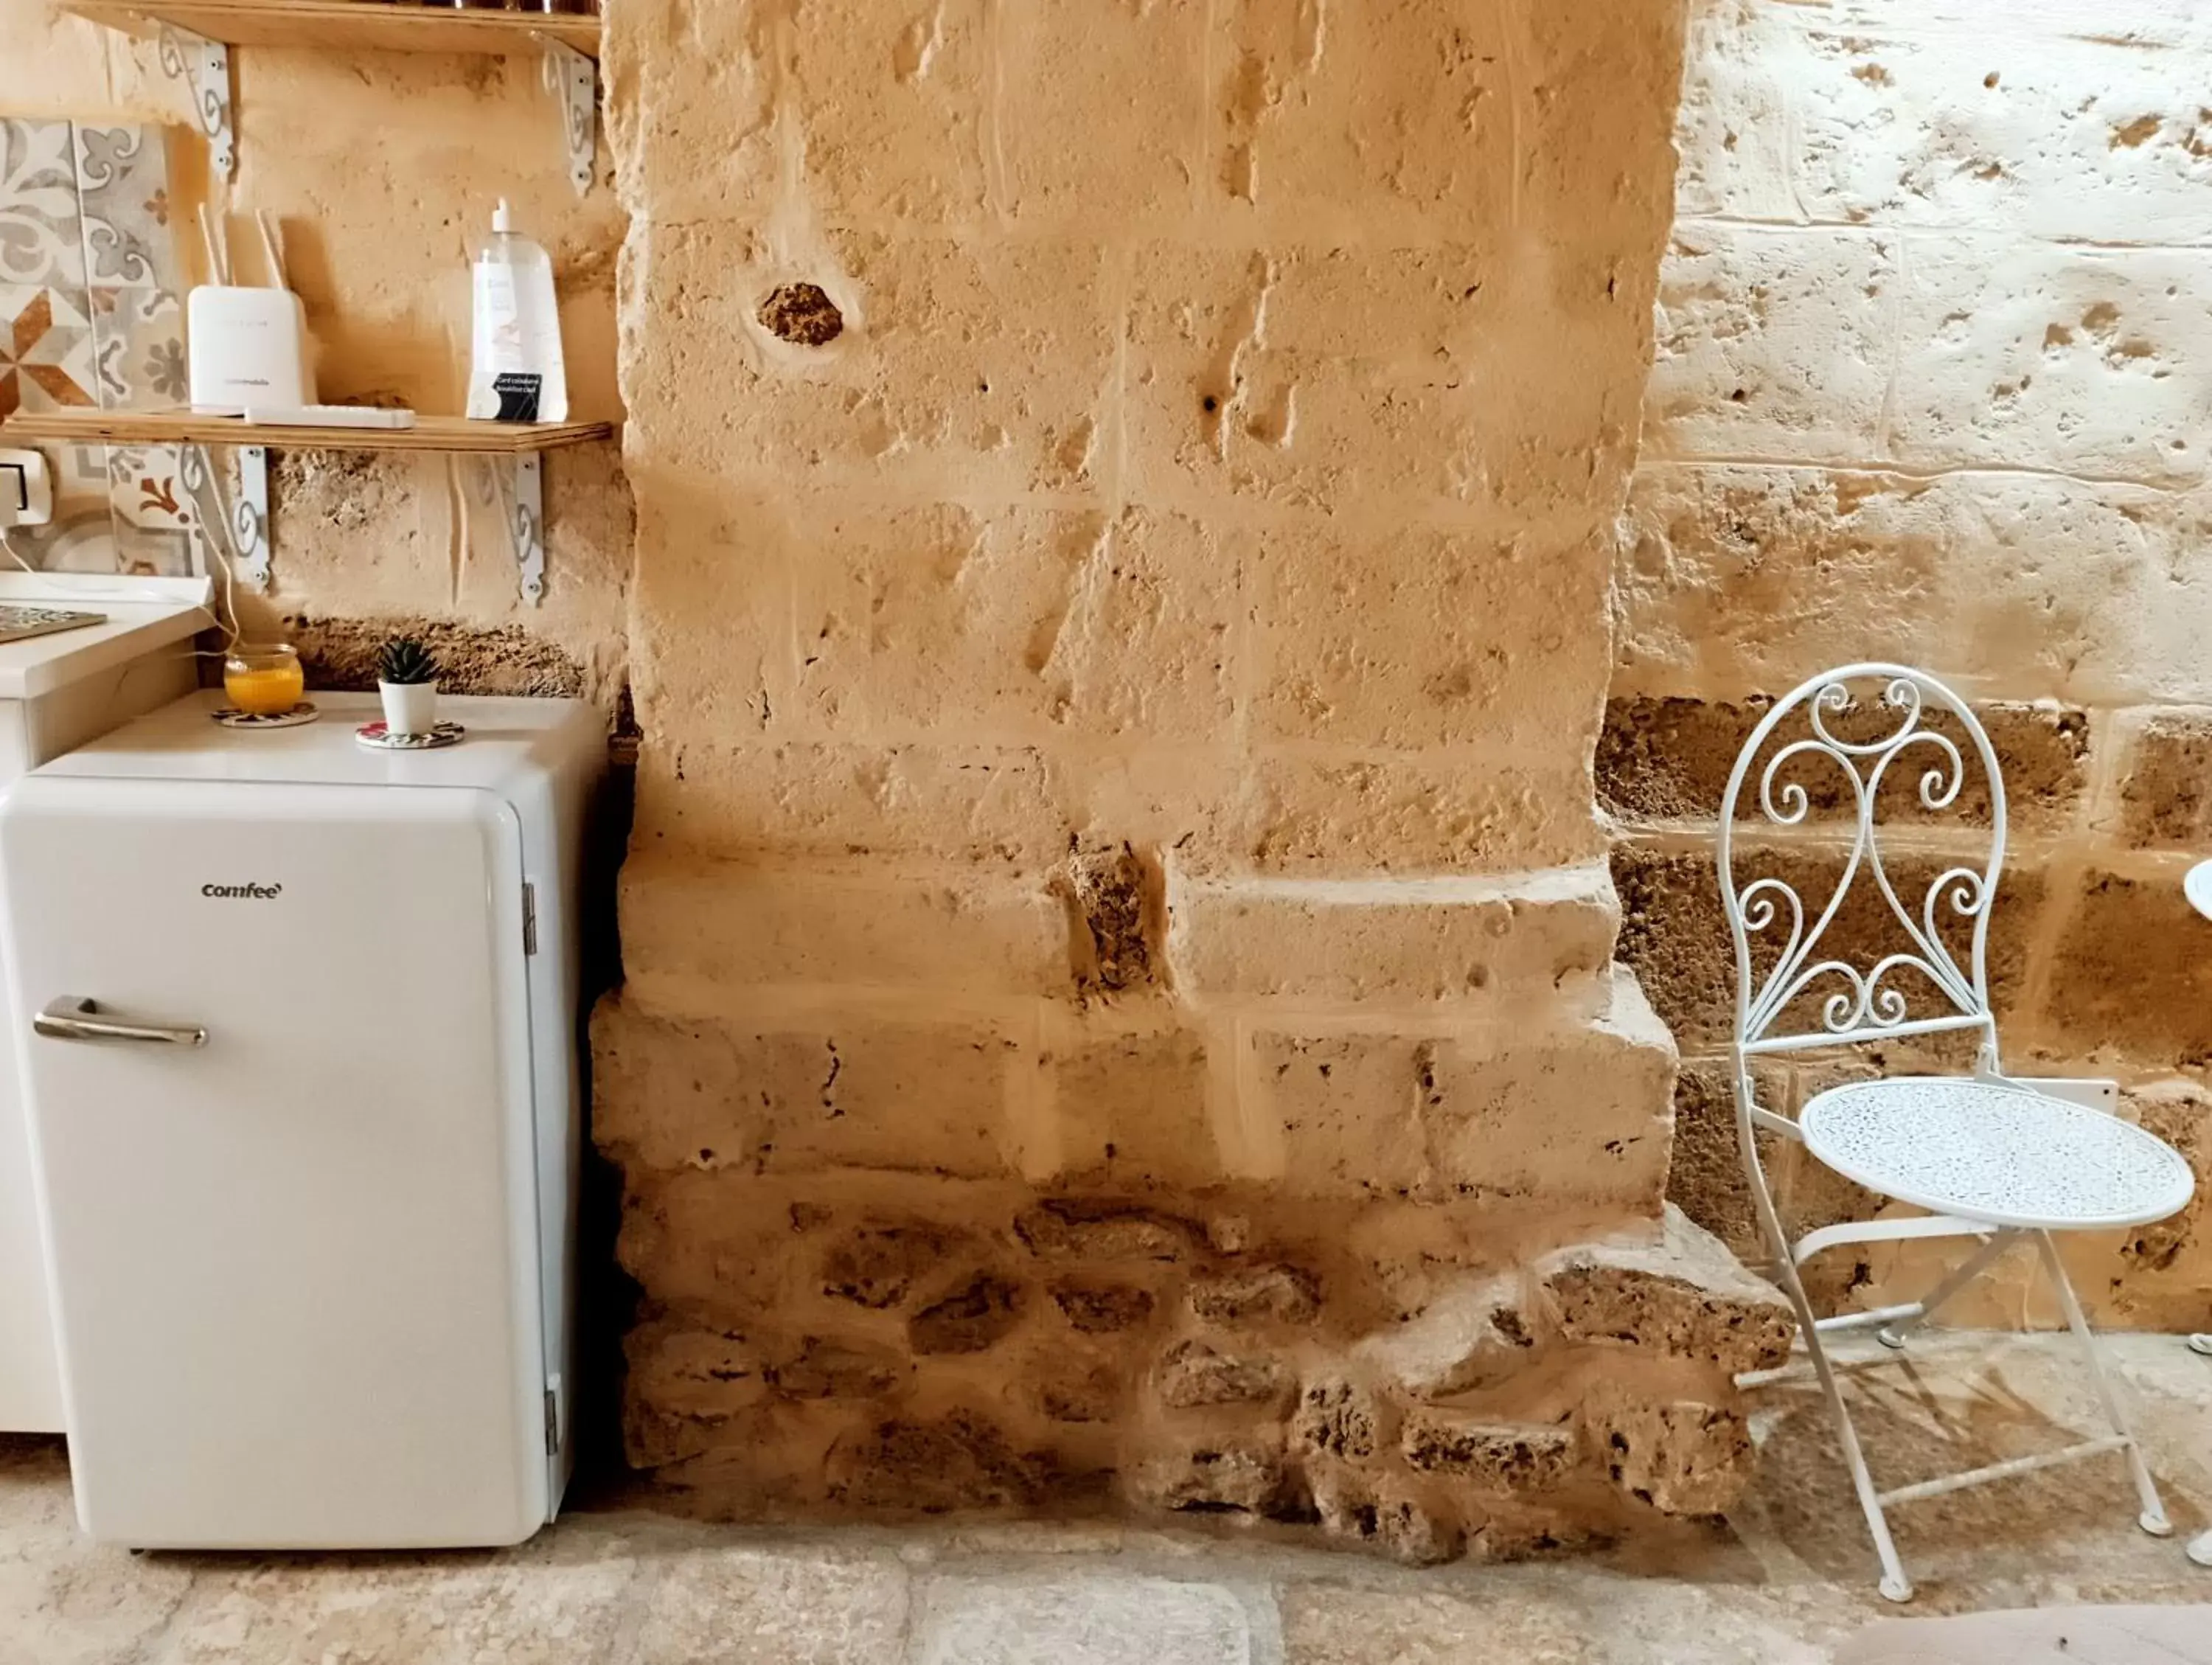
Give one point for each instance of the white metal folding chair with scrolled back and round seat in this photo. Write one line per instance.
(1983, 1155)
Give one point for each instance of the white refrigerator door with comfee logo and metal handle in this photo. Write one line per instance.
(293, 1264)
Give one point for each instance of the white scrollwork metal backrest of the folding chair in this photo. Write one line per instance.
(1870, 740)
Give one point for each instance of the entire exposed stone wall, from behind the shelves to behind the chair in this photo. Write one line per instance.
(1123, 963)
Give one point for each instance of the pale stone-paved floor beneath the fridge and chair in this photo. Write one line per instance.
(1788, 1580)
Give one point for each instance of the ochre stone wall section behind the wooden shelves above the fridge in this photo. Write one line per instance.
(384, 169)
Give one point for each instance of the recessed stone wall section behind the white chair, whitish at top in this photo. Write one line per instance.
(1934, 384)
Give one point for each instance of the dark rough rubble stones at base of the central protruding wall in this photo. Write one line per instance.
(1193, 1379)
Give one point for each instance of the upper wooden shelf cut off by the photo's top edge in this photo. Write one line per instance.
(362, 25)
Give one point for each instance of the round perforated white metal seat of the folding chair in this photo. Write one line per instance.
(1994, 1153)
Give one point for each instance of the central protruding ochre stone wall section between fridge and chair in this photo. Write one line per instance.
(1120, 963)
